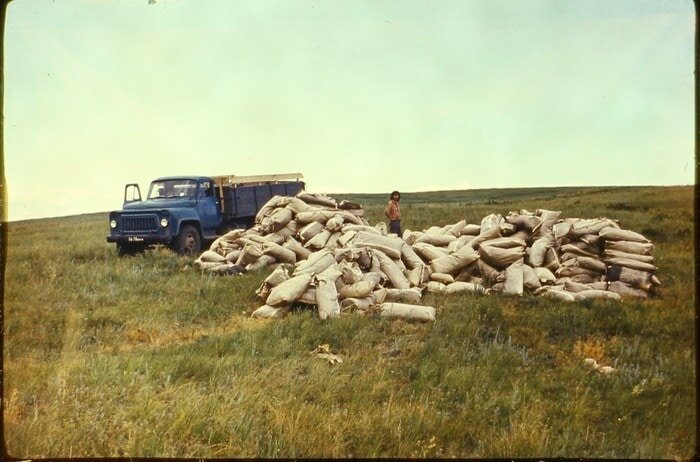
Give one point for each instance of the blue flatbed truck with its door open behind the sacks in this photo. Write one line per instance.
(184, 212)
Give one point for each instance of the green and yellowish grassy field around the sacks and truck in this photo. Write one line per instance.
(144, 356)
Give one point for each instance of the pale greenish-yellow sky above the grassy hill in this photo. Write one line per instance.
(359, 96)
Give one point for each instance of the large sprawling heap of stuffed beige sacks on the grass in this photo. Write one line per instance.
(329, 257)
